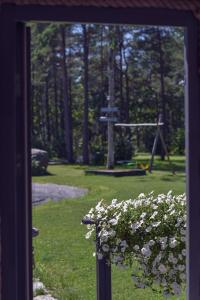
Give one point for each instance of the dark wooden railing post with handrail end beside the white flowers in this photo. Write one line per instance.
(103, 270)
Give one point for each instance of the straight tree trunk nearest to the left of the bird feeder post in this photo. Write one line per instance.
(86, 96)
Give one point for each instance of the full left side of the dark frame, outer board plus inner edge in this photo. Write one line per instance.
(14, 206)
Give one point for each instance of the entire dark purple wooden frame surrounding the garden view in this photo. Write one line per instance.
(10, 16)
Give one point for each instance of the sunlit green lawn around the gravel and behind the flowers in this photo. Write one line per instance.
(64, 261)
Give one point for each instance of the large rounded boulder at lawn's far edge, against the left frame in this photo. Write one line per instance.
(39, 162)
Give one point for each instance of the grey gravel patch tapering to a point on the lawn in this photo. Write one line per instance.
(43, 192)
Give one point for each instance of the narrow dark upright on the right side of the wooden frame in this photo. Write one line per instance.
(192, 117)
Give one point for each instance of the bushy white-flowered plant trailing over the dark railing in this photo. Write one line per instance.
(150, 230)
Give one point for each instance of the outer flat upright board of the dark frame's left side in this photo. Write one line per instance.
(8, 154)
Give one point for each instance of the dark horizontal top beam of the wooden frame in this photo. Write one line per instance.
(137, 16)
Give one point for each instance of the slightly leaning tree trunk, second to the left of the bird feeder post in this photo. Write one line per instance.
(67, 104)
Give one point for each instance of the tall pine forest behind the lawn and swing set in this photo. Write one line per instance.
(70, 83)
